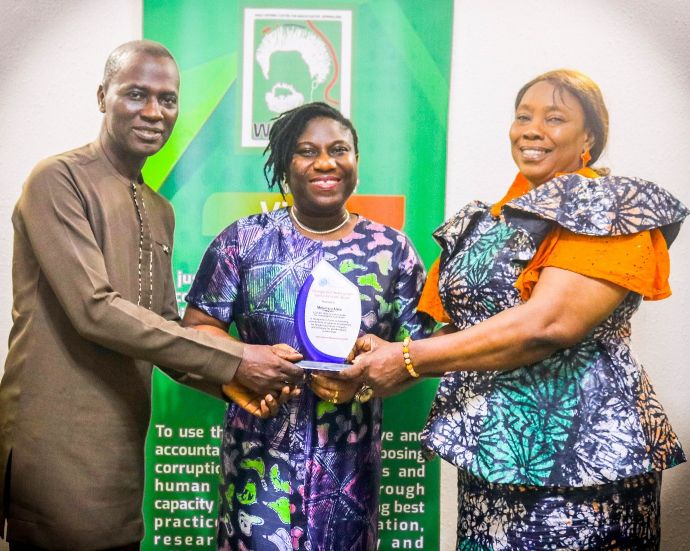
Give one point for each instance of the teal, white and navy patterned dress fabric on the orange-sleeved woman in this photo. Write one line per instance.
(546, 450)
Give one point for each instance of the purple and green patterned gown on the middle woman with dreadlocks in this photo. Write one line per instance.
(307, 479)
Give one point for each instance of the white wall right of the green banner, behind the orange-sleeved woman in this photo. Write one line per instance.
(638, 52)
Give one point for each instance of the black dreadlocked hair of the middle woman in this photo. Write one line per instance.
(286, 130)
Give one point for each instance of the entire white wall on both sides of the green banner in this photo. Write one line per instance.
(51, 57)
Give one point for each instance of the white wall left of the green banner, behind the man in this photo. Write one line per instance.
(51, 62)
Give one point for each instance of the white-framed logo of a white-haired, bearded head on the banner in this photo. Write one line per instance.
(292, 57)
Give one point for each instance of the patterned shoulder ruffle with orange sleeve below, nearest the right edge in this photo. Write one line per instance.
(613, 228)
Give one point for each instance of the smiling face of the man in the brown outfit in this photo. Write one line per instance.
(140, 106)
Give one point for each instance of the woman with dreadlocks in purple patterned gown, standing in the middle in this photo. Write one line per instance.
(307, 478)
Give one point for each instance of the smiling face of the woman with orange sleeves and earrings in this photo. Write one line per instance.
(548, 134)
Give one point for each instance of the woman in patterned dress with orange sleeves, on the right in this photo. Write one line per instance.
(555, 429)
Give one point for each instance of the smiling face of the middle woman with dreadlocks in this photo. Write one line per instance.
(323, 170)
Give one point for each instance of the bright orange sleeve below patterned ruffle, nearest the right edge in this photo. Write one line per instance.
(638, 262)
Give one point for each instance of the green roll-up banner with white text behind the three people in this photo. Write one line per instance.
(385, 64)
